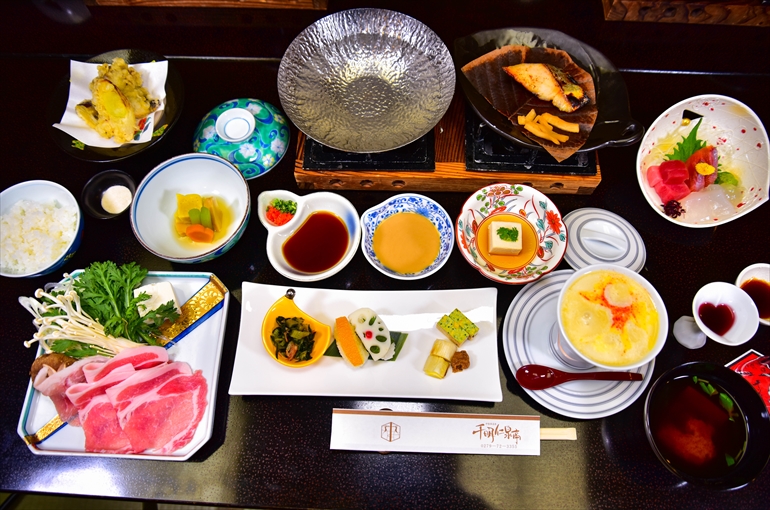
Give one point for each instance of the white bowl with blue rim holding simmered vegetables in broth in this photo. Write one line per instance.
(154, 205)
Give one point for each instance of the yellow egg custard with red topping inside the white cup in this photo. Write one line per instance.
(609, 318)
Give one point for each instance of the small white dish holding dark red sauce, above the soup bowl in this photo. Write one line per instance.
(746, 315)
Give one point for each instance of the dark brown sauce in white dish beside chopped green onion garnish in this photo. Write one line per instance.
(319, 243)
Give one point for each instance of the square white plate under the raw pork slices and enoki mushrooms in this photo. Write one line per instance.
(201, 348)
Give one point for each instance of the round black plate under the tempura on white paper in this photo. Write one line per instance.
(172, 110)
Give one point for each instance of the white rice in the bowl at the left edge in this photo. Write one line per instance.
(34, 235)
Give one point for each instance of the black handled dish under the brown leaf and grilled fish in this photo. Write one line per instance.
(614, 126)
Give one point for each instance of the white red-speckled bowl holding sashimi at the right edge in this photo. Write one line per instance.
(743, 147)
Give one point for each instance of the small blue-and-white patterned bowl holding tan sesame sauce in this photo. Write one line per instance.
(408, 202)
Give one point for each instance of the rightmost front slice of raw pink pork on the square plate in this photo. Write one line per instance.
(159, 408)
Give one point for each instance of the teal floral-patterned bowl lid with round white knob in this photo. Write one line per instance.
(250, 133)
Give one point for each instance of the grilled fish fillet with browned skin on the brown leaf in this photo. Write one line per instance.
(549, 84)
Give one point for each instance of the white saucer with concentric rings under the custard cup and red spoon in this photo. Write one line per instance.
(525, 340)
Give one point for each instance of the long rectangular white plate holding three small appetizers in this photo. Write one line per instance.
(412, 312)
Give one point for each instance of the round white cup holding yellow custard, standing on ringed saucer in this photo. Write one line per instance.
(660, 340)
